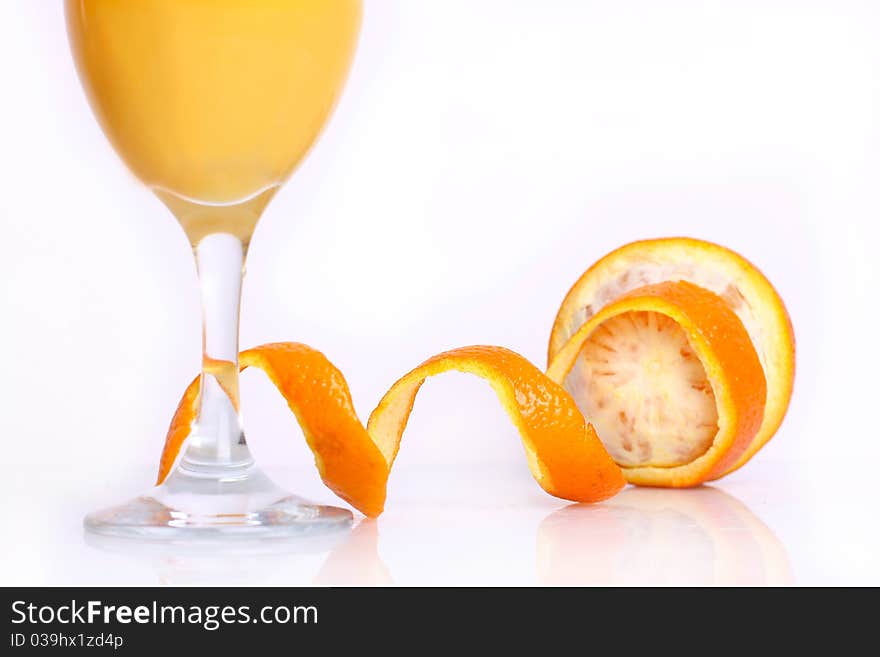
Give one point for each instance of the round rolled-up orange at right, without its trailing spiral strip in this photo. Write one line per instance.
(617, 338)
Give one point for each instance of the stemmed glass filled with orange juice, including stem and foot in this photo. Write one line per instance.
(212, 104)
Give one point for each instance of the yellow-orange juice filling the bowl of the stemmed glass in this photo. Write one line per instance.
(213, 103)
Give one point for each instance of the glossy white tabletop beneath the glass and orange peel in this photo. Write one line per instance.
(482, 525)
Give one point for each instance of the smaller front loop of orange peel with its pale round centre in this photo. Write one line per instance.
(671, 381)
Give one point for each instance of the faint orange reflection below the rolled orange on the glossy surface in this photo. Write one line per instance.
(651, 537)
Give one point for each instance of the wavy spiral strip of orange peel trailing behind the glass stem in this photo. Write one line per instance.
(564, 453)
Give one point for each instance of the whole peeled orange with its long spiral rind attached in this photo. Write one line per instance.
(679, 353)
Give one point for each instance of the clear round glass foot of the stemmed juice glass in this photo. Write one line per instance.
(189, 507)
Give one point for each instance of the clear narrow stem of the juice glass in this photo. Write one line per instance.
(217, 446)
